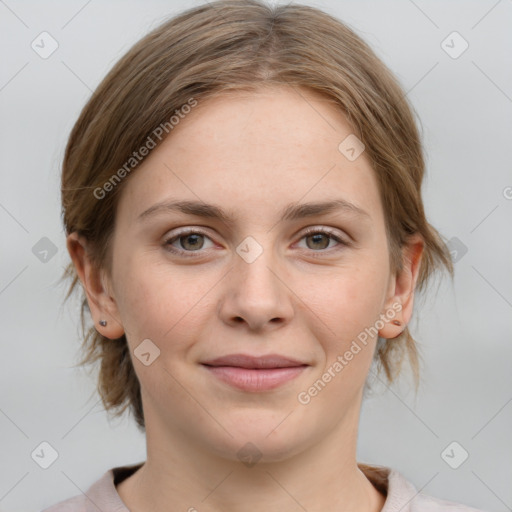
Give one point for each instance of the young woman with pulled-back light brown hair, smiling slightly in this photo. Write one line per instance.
(242, 199)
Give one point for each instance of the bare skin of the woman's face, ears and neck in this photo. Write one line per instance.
(250, 154)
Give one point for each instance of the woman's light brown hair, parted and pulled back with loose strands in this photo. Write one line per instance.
(239, 45)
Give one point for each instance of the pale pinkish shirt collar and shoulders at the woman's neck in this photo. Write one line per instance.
(401, 495)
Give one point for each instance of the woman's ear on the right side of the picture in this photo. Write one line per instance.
(400, 299)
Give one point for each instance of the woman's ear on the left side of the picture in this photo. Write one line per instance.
(101, 303)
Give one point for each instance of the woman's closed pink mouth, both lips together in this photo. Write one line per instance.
(255, 374)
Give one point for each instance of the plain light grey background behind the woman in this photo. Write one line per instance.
(465, 105)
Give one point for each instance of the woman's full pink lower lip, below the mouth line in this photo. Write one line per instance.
(248, 379)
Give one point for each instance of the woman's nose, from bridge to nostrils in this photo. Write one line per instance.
(257, 294)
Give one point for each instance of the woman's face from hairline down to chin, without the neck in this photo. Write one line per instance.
(256, 282)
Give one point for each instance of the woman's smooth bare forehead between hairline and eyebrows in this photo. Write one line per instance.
(254, 151)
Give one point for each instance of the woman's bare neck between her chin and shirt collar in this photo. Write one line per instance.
(324, 476)
